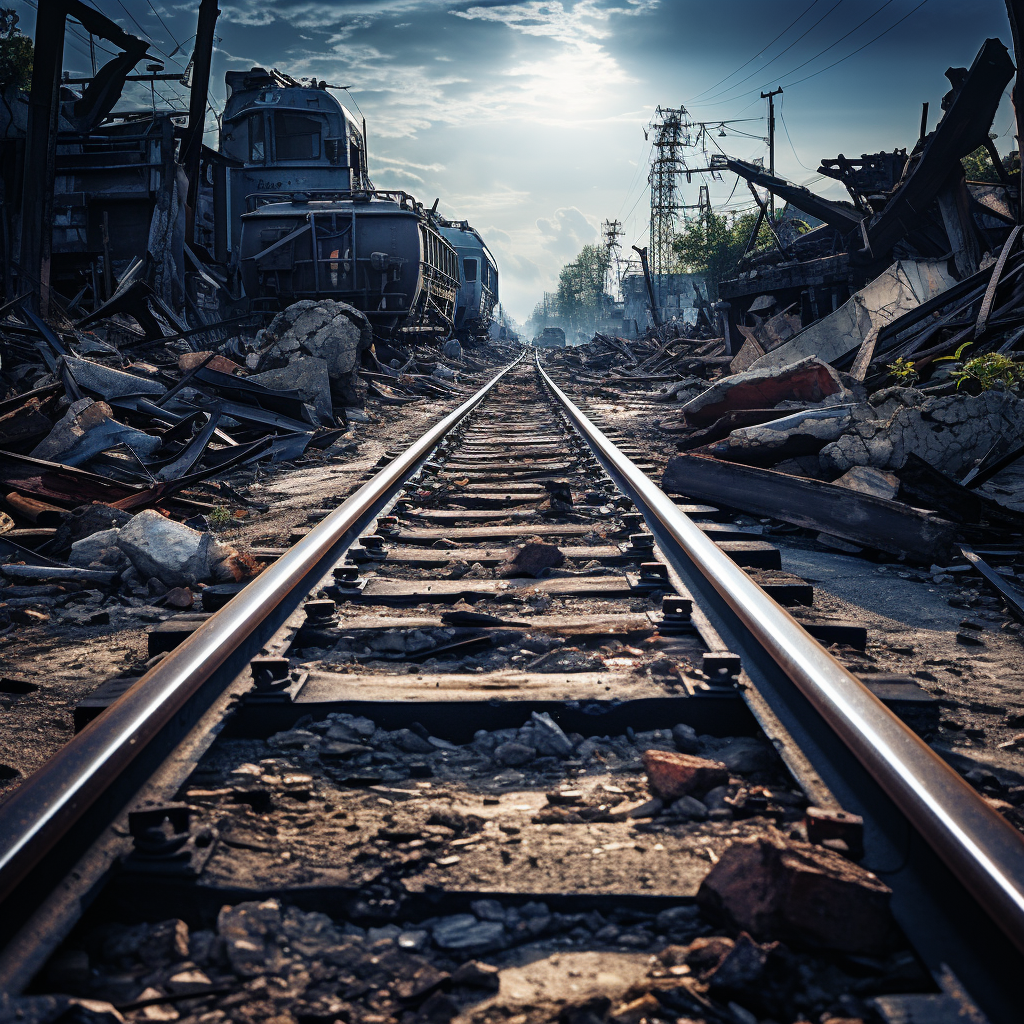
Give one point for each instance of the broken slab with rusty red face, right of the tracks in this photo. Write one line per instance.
(806, 380)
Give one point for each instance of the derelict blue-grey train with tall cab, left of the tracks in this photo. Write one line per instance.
(307, 222)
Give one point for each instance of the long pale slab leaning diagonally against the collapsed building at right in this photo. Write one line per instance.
(904, 287)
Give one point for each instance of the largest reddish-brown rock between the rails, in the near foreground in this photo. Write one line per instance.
(772, 886)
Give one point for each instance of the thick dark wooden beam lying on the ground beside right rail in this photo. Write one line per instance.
(864, 520)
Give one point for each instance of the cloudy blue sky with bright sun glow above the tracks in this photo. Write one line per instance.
(529, 118)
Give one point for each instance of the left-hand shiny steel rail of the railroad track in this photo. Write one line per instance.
(50, 803)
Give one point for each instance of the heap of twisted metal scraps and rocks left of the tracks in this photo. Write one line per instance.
(111, 428)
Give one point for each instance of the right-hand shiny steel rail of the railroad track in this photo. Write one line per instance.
(978, 846)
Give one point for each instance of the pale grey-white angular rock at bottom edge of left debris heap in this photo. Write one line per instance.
(175, 554)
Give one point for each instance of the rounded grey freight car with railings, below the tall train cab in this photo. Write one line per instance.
(378, 251)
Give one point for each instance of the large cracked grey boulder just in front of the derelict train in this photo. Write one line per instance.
(325, 330)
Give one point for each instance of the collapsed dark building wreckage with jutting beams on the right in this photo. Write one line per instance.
(915, 229)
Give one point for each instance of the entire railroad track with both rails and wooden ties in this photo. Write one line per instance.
(413, 711)
